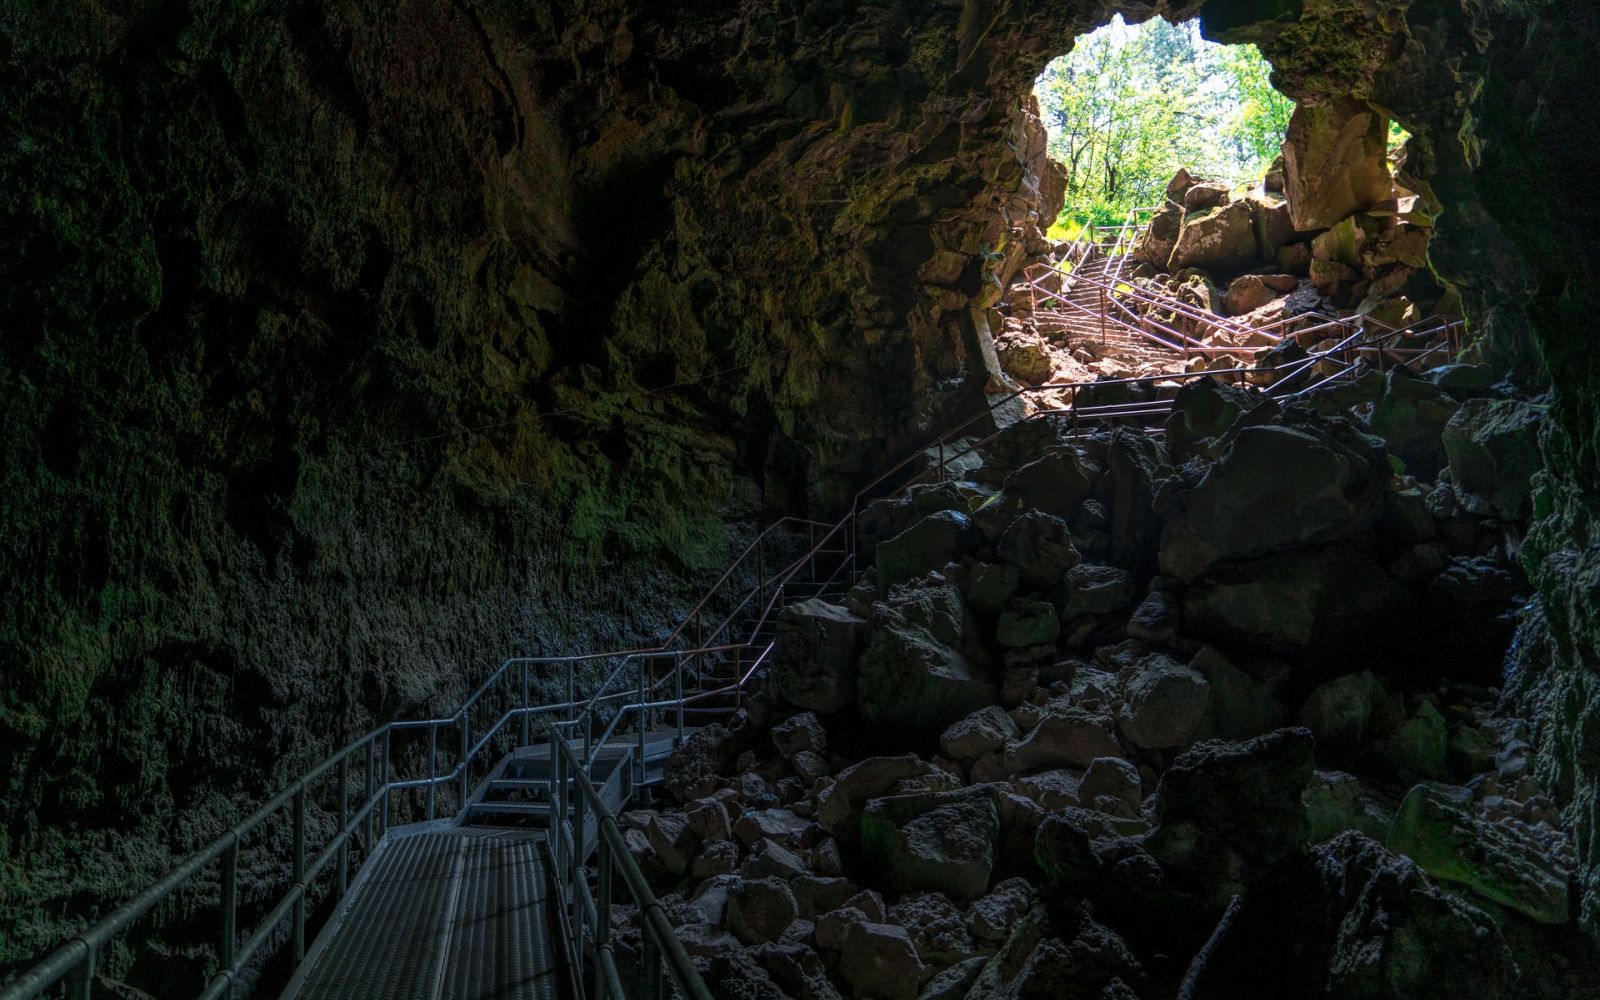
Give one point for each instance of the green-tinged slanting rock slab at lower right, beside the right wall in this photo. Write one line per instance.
(1503, 860)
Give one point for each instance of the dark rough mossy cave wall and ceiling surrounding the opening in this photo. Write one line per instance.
(350, 348)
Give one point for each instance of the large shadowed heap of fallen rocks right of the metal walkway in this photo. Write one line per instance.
(1220, 703)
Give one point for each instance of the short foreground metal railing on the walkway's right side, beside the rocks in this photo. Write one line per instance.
(590, 913)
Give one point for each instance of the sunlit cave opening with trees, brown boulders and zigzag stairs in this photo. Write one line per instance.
(1194, 218)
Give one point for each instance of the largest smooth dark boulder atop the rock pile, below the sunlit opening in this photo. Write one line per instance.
(1274, 489)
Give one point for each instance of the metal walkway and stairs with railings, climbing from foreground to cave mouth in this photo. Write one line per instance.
(455, 857)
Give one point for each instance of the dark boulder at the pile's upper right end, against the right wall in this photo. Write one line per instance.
(1494, 449)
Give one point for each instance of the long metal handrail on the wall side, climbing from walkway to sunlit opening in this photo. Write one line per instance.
(364, 823)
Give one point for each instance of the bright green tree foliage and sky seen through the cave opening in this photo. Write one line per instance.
(1132, 105)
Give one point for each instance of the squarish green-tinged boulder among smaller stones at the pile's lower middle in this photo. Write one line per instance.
(943, 842)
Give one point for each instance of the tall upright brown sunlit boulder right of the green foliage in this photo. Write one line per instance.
(1335, 162)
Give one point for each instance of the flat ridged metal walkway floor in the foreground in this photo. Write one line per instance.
(446, 916)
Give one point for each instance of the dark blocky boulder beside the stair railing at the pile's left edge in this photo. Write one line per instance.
(817, 655)
